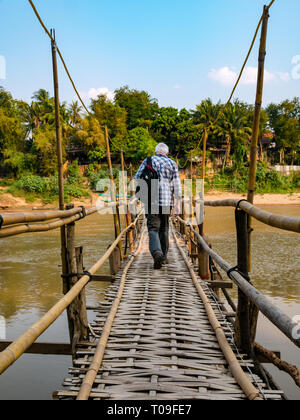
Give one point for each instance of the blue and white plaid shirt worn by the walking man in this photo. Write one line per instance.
(169, 180)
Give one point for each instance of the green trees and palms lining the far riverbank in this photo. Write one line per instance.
(136, 123)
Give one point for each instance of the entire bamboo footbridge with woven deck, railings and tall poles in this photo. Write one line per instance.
(159, 335)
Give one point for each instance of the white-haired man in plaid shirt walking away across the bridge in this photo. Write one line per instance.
(169, 196)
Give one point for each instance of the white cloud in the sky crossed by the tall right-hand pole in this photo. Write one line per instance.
(228, 76)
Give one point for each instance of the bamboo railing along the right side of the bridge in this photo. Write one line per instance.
(241, 278)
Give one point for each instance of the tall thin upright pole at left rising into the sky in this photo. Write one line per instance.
(59, 160)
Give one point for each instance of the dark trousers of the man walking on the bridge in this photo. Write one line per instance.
(158, 228)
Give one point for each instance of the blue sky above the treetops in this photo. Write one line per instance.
(180, 51)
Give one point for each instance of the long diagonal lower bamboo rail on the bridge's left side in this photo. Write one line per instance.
(19, 346)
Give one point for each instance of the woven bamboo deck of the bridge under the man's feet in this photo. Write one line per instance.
(161, 345)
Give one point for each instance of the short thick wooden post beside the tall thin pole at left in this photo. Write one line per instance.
(77, 314)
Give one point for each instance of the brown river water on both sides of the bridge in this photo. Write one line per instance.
(30, 285)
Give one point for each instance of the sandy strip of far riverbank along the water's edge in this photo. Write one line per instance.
(10, 203)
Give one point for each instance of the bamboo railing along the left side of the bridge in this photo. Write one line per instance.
(15, 350)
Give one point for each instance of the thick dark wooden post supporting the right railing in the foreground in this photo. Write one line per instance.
(243, 337)
